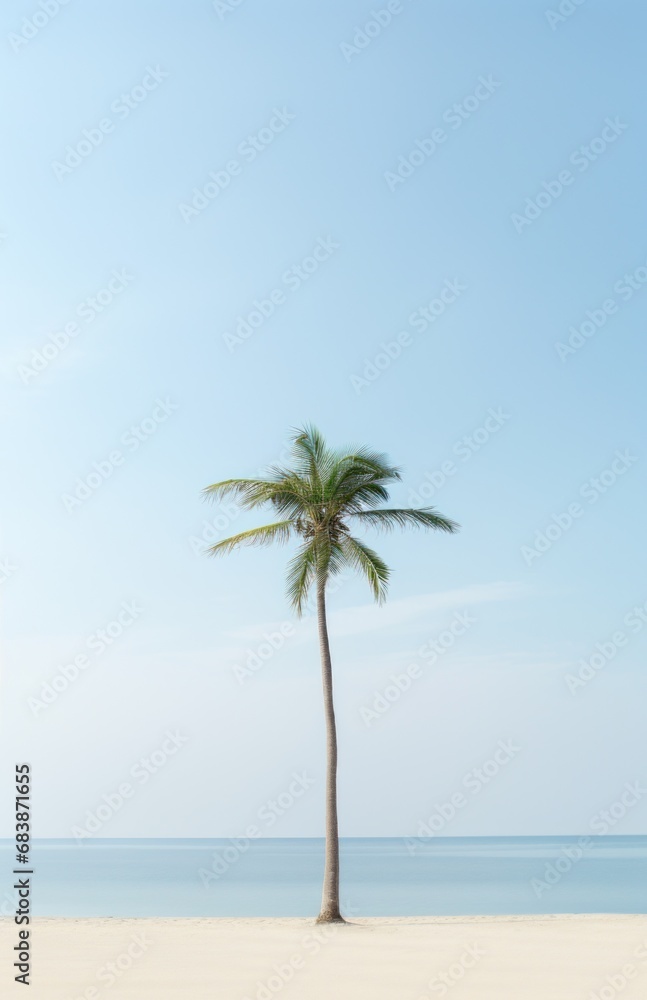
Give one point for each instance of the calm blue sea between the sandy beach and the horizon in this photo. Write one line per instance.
(380, 877)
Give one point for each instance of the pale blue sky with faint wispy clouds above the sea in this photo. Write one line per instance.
(171, 172)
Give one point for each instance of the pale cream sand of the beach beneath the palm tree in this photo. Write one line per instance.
(524, 958)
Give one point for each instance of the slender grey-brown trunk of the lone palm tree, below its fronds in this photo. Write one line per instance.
(330, 895)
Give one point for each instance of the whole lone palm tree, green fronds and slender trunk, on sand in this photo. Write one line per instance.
(321, 498)
